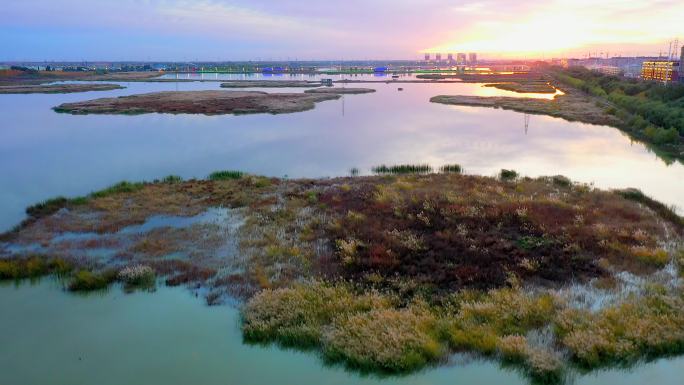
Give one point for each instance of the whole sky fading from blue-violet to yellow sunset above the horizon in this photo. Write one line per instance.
(208, 30)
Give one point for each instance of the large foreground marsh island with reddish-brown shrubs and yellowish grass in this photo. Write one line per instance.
(391, 272)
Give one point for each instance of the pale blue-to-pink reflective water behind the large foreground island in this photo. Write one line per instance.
(44, 154)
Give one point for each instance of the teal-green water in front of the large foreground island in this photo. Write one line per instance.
(170, 337)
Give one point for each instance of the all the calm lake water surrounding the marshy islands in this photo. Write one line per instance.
(170, 337)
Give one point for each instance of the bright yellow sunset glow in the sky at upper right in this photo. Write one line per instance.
(562, 27)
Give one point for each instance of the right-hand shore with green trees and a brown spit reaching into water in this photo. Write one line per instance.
(648, 111)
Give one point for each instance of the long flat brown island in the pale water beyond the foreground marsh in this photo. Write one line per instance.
(199, 102)
